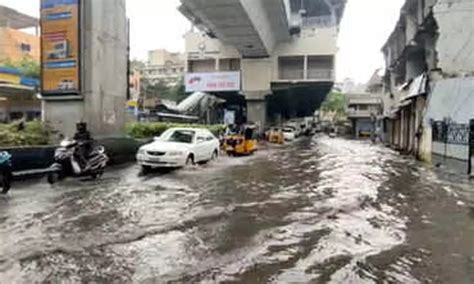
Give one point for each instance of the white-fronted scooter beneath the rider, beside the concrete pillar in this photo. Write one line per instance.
(66, 162)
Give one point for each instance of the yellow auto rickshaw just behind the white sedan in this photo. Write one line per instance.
(241, 144)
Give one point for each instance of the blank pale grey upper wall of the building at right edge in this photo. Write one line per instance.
(456, 36)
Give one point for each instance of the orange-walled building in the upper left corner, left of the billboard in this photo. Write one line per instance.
(16, 44)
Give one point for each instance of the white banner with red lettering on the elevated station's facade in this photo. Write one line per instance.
(213, 82)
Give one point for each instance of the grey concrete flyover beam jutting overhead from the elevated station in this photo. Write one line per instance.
(253, 27)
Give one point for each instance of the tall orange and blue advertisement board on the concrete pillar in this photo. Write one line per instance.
(60, 47)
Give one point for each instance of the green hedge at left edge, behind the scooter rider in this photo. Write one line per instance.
(33, 134)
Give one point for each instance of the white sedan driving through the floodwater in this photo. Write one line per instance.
(178, 147)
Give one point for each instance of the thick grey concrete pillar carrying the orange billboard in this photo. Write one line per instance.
(103, 73)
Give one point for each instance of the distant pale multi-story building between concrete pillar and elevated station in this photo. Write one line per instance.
(164, 66)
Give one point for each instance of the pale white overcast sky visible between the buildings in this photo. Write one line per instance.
(364, 29)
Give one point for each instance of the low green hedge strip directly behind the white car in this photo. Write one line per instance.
(149, 130)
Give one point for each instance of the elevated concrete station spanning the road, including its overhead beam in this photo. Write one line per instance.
(272, 59)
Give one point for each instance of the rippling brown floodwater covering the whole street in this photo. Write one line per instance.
(318, 211)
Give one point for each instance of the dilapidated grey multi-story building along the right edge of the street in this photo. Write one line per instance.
(429, 78)
